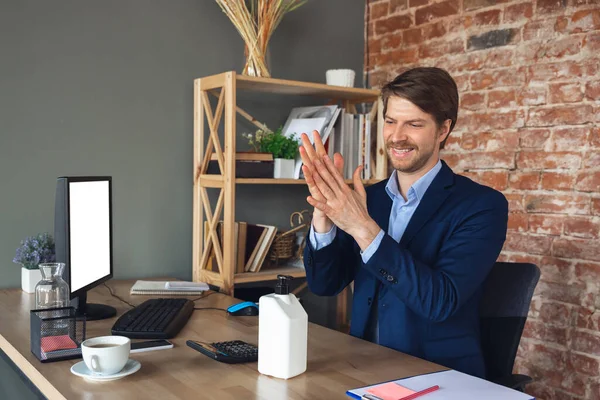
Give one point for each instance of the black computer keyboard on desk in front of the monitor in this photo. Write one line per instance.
(154, 319)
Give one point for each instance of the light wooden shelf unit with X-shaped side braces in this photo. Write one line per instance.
(224, 86)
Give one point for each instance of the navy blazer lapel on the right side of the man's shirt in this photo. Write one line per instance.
(434, 197)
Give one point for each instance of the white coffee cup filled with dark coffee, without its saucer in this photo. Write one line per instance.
(106, 355)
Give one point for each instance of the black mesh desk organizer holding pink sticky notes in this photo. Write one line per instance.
(56, 334)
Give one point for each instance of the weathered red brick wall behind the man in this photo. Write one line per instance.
(529, 125)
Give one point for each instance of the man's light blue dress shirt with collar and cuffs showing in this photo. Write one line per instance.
(400, 215)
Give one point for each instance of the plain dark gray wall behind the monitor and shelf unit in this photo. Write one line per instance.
(105, 88)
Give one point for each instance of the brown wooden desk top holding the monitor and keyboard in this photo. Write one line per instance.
(336, 362)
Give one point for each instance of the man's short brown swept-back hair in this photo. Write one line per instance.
(431, 89)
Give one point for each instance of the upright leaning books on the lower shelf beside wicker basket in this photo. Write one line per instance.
(251, 245)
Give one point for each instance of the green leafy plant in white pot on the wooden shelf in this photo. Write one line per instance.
(283, 148)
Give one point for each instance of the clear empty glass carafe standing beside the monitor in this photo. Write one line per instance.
(52, 291)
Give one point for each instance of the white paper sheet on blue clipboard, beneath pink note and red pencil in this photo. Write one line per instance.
(453, 385)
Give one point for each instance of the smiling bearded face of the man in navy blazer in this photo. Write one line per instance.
(412, 136)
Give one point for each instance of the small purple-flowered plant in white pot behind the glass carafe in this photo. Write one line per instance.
(33, 251)
